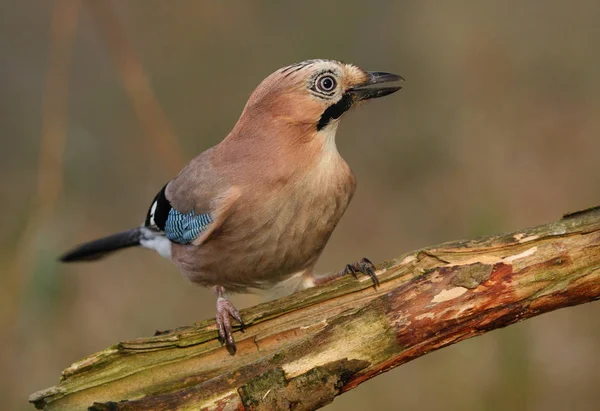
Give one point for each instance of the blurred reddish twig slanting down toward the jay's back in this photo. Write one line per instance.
(135, 80)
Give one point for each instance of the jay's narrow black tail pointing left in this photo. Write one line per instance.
(99, 248)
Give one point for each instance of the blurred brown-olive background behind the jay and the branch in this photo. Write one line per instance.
(497, 129)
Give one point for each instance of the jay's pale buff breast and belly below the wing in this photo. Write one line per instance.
(277, 229)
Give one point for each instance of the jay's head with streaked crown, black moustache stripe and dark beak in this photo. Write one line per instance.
(314, 94)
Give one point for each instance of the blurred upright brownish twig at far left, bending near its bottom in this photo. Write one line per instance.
(53, 136)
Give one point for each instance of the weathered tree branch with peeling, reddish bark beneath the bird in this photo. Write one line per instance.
(303, 350)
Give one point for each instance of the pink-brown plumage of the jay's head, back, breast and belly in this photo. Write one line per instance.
(292, 187)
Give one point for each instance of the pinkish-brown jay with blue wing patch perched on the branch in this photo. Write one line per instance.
(259, 207)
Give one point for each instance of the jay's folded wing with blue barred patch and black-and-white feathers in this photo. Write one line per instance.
(193, 205)
